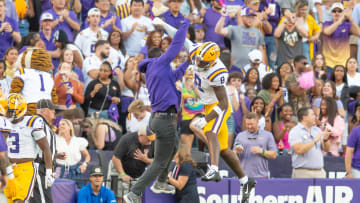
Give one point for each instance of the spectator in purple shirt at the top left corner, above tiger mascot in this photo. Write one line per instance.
(9, 30)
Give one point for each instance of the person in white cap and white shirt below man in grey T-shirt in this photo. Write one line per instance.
(255, 58)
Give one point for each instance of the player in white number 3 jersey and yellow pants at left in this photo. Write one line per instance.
(24, 141)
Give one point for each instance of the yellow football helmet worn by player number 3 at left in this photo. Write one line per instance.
(16, 107)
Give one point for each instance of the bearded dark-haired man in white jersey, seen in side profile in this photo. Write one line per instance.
(92, 63)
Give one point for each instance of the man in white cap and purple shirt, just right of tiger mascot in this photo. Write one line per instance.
(47, 37)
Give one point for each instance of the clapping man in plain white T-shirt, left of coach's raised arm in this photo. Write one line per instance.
(135, 28)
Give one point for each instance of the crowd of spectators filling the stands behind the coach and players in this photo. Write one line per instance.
(281, 55)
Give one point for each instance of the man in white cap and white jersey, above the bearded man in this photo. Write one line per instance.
(87, 38)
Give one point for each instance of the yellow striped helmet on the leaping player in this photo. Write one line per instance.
(206, 55)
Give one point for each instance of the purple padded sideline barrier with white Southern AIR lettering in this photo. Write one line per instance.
(279, 190)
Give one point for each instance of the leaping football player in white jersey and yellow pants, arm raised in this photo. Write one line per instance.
(210, 78)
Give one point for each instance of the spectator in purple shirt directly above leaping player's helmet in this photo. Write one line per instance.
(209, 17)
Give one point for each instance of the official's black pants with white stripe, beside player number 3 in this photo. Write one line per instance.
(40, 194)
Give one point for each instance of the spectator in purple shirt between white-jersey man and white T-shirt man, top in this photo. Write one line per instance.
(108, 21)
